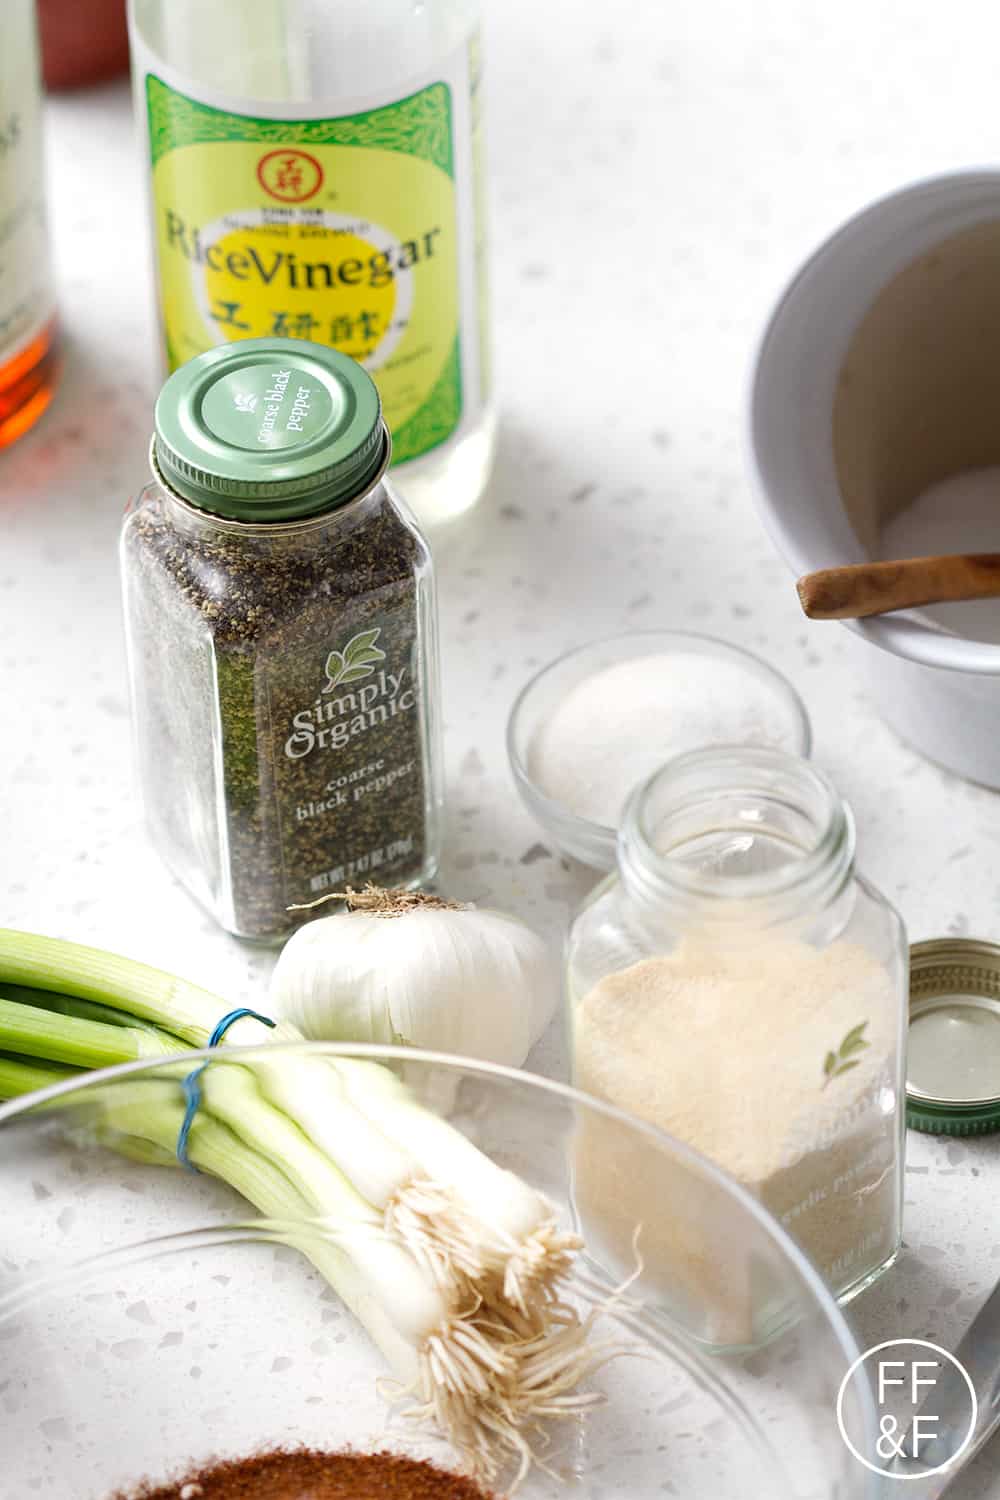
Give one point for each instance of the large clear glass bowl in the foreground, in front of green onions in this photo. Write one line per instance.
(149, 1319)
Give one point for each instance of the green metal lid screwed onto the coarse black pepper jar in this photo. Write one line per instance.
(269, 430)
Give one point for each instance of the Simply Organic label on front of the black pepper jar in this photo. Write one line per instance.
(349, 763)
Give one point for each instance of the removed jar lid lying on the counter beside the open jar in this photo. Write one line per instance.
(954, 1040)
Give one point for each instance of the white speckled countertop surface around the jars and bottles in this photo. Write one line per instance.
(657, 172)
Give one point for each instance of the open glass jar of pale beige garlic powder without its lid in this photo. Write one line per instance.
(740, 986)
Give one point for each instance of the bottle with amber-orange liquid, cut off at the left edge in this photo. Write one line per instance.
(28, 329)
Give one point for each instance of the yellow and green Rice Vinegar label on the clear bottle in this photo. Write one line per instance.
(338, 230)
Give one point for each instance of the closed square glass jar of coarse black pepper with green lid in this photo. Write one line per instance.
(283, 640)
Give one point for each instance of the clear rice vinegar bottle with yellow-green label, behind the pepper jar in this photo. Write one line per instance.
(316, 172)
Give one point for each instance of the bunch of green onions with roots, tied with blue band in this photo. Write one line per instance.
(452, 1264)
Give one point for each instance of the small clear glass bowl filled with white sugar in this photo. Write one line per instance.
(600, 721)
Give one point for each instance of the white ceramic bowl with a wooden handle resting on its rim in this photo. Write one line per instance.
(879, 374)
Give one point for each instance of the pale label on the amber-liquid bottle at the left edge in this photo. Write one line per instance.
(26, 301)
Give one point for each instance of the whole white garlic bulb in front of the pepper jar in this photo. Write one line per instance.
(413, 970)
